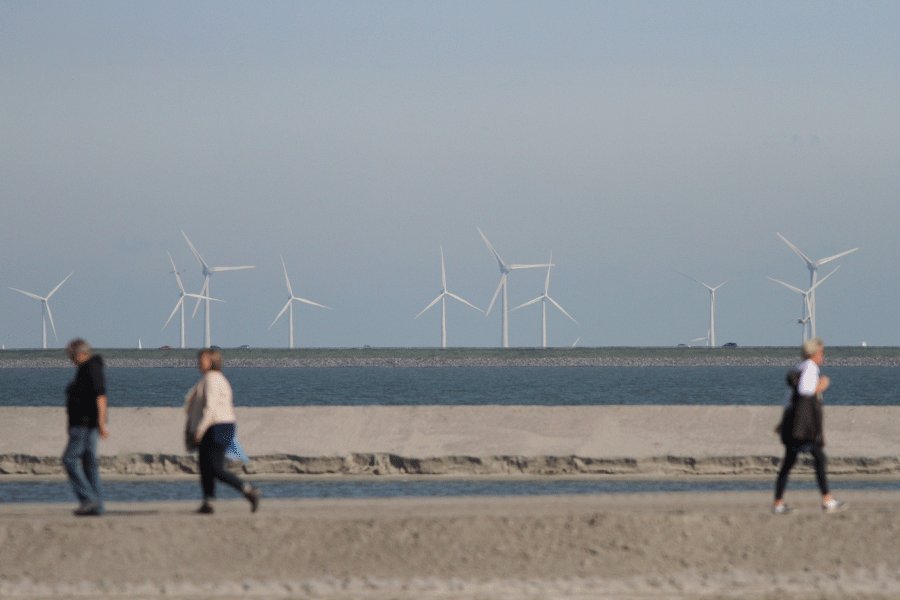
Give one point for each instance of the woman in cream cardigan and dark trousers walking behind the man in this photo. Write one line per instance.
(210, 429)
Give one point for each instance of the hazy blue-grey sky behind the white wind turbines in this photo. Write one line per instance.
(635, 141)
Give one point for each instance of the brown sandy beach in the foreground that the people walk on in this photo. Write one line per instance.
(716, 545)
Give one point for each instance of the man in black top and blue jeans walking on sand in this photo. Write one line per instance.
(86, 409)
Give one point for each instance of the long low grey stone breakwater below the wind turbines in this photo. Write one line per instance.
(687, 361)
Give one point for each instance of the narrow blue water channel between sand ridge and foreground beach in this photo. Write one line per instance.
(153, 491)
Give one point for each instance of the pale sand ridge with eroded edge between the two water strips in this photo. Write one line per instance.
(647, 440)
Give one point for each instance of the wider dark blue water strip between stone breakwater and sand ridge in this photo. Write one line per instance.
(547, 386)
